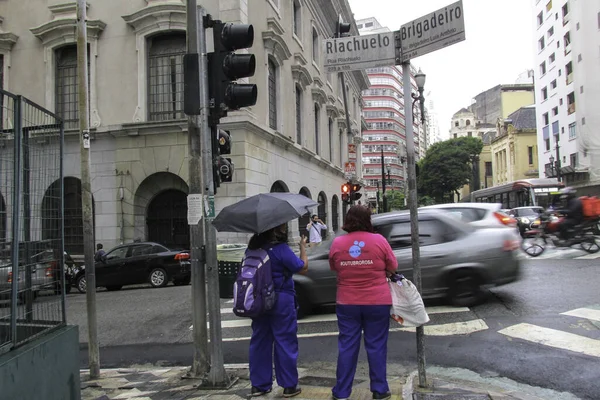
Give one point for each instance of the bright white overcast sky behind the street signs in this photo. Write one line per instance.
(498, 47)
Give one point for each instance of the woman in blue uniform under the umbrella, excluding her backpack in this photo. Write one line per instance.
(276, 332)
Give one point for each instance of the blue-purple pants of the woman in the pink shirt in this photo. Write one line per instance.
(374, 321)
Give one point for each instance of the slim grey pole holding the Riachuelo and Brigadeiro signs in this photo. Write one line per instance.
(412, 205)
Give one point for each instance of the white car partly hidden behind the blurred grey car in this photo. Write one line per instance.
(488, 215)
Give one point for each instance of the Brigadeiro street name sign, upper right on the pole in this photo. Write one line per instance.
(433, 31)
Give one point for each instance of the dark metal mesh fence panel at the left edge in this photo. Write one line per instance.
(32, 259)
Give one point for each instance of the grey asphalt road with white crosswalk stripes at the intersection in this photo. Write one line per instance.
(543, 330)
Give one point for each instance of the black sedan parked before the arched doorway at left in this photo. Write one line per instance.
(137, 263)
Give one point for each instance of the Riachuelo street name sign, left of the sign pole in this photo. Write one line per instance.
(359, 52)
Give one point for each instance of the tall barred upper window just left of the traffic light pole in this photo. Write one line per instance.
(165, 77)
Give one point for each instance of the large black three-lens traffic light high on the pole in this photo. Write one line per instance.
(225, 67)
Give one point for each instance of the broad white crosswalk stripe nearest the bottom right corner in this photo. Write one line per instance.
(554, 338)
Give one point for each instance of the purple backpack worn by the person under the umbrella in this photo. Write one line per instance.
(254, 290)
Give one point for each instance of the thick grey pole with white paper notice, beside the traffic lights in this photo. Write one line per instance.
(197, 124)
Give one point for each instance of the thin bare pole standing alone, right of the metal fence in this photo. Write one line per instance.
(86, 189)
